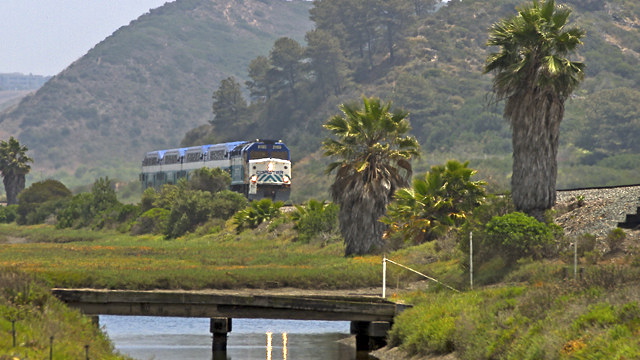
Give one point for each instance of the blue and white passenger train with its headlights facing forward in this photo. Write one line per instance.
(259, 169)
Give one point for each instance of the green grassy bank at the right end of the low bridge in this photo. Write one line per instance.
(594, 317)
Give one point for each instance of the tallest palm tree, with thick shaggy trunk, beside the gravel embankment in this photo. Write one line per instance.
(535, 78)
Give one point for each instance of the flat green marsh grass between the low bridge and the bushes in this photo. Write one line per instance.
(81, 258)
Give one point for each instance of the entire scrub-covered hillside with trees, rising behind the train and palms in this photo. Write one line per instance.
(151, 83)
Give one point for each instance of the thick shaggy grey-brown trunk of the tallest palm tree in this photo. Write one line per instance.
(536, 126)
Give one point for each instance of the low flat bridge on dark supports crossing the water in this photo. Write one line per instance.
(371, 317)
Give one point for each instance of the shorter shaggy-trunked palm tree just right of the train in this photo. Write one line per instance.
(373, 153)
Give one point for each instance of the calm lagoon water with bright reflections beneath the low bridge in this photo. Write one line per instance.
(161, 338)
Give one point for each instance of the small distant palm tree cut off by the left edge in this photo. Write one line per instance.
(13, 167)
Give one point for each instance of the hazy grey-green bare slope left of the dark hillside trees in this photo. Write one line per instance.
(147, 84)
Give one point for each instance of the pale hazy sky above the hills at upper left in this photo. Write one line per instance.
(42, 37)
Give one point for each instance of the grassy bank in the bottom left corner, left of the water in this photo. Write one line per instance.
(43, 325)
